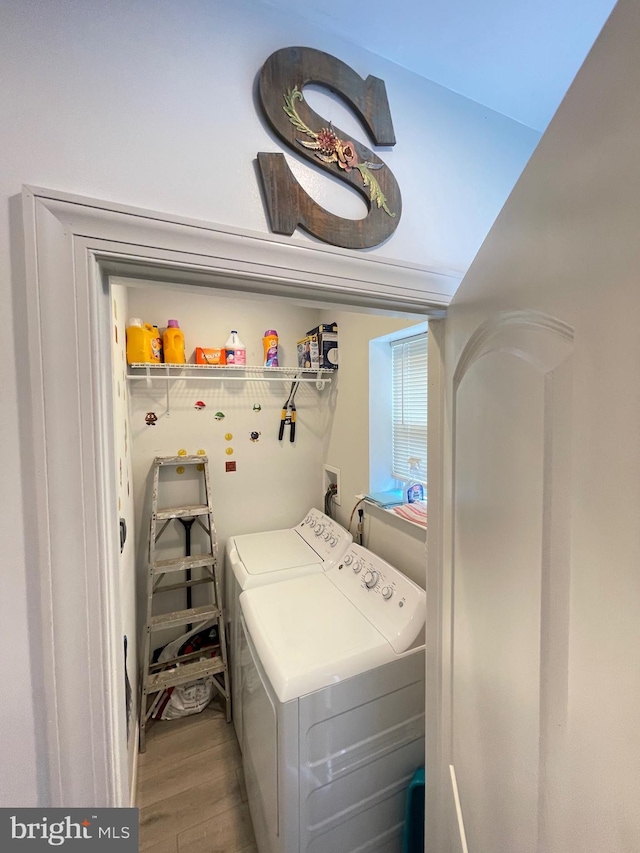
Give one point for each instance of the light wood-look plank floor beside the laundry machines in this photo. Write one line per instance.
(191, 793)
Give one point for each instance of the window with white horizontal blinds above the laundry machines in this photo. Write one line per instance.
(409, 405)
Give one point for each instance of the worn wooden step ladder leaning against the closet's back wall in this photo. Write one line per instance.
(158, 677)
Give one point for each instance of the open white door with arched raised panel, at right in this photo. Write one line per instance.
(565, 246)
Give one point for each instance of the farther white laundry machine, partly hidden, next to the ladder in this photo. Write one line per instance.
(256, 559)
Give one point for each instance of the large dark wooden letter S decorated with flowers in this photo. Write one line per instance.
(282, 80)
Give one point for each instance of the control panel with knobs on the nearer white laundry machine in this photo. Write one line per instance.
(392, 602)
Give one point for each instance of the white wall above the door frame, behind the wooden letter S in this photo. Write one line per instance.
(152, 105)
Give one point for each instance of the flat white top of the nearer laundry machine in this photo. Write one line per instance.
(308, 635)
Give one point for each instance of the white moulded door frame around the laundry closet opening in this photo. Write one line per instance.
(72, 245)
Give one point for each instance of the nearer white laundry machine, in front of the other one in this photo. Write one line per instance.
(333, 706)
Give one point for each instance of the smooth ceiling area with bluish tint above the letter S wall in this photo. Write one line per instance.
(517, 57)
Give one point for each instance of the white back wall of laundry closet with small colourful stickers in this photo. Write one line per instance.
(274, 482)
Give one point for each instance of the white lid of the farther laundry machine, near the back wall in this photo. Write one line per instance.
(274, 550)
